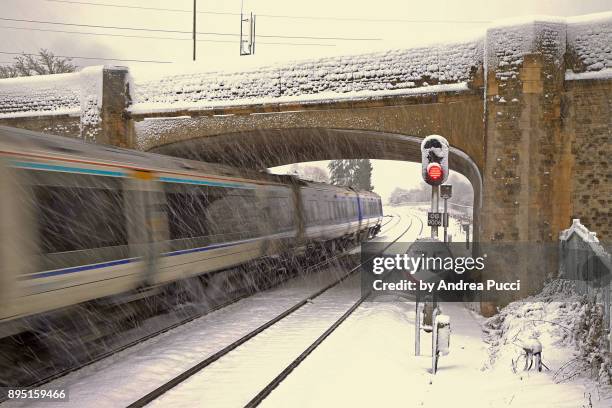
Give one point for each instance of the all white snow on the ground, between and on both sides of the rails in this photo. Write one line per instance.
(368, 361)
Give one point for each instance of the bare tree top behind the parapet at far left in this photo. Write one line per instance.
(44, 63)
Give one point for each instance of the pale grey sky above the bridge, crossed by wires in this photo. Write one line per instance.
(392, 34)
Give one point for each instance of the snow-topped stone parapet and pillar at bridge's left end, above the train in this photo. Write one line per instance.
(88, 104)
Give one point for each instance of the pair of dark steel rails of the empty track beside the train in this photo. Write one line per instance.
(201, 366)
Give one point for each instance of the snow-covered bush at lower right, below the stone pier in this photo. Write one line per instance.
(570, 327)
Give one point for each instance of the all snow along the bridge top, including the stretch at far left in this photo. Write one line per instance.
(585, 41)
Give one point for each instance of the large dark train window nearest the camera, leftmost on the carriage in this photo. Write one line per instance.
(86, 212)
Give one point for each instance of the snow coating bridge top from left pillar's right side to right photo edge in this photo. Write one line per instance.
(395, 72)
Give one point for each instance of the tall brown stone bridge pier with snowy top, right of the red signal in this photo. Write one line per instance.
(528, 160)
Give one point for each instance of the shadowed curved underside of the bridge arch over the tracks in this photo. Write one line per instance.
(264, 148)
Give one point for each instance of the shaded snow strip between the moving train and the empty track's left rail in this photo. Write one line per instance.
(128, 375)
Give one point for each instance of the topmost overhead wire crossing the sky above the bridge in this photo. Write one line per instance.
(279, 16)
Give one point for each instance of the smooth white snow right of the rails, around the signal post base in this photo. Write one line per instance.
(369, 361)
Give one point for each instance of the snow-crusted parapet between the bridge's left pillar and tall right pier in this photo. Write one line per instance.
(350, 77)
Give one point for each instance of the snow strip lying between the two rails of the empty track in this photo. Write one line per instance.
(234, 379)
